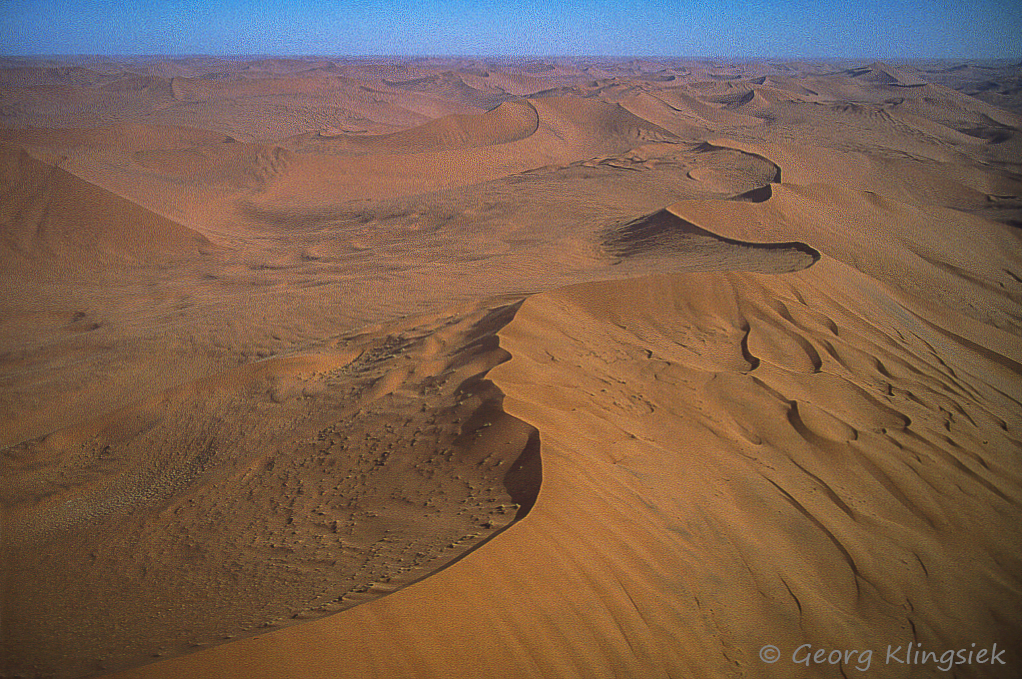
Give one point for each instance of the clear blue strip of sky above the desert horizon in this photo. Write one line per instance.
(892, 29)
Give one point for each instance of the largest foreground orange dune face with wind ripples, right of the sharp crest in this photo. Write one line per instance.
(786, 429)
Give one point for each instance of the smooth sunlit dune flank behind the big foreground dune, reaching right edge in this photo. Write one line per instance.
(885, 239)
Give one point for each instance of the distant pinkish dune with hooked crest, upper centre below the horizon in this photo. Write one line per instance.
(459, 152)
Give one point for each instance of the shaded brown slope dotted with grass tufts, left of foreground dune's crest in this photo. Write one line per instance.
(264, 496)
